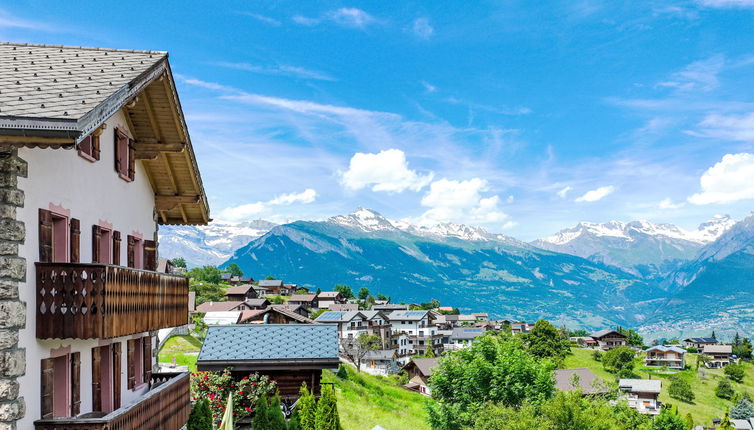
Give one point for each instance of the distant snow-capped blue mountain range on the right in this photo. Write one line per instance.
(636, 245)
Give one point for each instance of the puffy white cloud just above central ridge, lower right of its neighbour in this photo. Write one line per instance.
(460, 201)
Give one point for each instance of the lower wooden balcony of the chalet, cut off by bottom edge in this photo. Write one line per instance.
(165, 407)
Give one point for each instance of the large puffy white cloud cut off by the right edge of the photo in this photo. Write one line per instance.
(729, 180)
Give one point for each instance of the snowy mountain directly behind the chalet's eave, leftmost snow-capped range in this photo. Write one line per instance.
(211, 244)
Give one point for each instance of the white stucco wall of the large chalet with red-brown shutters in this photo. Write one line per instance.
(93, 192)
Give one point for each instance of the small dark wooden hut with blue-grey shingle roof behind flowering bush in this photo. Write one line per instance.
(289, 354)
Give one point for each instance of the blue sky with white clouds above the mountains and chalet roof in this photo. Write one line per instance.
(523, 117)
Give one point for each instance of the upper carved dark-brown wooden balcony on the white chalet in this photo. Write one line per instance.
(90, 301)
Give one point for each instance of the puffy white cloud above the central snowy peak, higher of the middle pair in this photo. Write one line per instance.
(385, 171)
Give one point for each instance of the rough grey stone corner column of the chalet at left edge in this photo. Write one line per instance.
(12, 272)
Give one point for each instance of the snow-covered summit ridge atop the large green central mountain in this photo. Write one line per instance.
(368, 220)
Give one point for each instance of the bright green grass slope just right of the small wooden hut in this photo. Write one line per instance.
(365, 401)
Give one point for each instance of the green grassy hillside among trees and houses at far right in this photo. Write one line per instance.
(706, 405)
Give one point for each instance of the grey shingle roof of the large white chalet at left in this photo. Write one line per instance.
(65, 82)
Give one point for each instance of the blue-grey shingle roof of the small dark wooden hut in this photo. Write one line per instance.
(270, 342)
